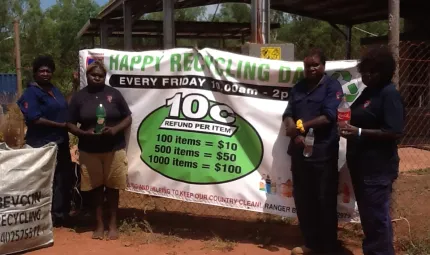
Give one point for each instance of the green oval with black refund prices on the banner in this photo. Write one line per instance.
(195, 156)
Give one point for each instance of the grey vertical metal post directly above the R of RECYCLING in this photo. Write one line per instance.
(169, 24)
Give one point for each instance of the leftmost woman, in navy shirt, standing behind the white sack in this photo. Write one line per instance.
(45, 111)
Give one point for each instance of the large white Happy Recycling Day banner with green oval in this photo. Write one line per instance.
(207, 126)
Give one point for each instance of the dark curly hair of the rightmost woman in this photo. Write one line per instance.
(379, 60)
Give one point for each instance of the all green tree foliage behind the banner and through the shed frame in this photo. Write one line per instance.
(53, 31)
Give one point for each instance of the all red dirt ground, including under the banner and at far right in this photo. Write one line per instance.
(163, 226)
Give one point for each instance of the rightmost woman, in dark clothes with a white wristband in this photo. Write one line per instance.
(377, 122)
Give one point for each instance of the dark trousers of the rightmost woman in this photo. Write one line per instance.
(373, 194)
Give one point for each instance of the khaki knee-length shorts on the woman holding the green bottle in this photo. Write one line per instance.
(108, 169)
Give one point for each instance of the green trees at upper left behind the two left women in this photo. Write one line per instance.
(52, 31)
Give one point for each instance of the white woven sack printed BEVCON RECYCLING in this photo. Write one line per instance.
(26, 177)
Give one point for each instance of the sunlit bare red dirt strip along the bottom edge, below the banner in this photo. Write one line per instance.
(68, 242)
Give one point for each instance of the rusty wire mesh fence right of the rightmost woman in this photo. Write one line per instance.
(414, 74)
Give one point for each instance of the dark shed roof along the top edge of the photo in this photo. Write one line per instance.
(348, 12)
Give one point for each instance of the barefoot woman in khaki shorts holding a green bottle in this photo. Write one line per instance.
(102, 156)
